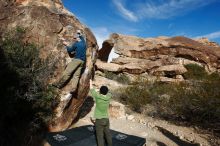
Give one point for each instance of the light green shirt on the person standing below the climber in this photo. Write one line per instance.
(102, 104)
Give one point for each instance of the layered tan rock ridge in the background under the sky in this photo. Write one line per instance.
(163, 56)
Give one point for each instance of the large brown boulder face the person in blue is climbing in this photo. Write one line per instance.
(45, 22)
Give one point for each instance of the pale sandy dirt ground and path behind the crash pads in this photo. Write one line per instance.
(156, 132)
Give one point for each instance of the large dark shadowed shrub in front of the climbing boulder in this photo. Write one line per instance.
(26, 103)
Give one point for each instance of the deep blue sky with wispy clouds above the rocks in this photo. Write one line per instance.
(149, 18)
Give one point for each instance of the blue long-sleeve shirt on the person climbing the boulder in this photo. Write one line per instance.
(79, 48)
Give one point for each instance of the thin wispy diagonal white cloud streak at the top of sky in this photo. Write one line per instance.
(125, 12)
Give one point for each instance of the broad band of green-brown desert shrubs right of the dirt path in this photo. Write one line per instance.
(196, 102)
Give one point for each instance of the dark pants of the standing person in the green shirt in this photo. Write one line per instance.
(103, 132)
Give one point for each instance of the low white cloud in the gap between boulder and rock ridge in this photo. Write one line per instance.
(101, 34)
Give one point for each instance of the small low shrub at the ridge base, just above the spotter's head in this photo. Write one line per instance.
(121, 78)
